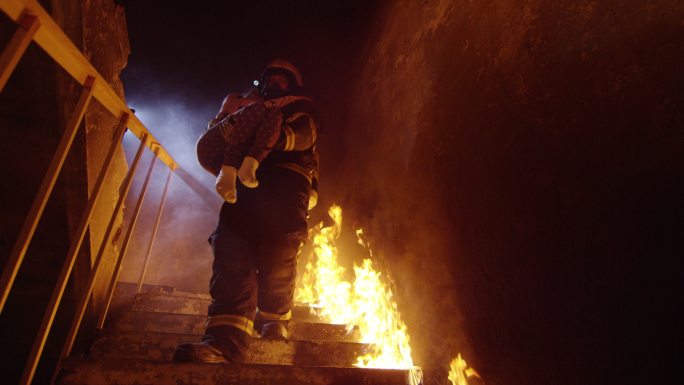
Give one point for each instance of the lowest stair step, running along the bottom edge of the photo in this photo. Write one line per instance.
(90, 371)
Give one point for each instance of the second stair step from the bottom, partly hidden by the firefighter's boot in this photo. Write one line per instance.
(160, 347)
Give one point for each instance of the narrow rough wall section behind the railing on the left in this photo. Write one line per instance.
(98, 29)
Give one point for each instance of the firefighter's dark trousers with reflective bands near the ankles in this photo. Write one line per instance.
(255, 250)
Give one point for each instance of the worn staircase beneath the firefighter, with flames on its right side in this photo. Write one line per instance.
(137, 344)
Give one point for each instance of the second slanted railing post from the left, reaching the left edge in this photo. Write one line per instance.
(29, 227)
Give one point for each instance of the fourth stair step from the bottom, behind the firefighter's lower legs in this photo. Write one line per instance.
(165, 301)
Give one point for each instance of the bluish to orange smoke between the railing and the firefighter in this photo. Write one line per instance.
(181, 256)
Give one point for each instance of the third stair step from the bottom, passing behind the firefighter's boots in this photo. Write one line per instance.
(142, 321)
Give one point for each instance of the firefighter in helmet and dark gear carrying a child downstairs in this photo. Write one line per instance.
(257, 238)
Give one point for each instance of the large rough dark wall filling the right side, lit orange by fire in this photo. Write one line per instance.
(521, 166)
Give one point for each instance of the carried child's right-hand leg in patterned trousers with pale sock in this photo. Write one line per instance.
(267, 134)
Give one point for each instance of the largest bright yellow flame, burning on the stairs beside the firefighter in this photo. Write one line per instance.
(367, 302)
